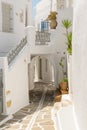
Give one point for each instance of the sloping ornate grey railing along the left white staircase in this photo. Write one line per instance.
(14, 52)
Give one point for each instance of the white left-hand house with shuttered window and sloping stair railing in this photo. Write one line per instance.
(13, 55)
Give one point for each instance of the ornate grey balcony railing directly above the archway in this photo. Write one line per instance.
(42, 38)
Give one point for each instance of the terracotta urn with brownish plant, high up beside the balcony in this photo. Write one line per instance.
(52, 18)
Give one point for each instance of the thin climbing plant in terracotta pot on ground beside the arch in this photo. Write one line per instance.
(64, 83)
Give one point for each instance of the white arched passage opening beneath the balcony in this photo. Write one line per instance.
(41, 69)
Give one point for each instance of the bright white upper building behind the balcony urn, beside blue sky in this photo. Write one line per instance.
(44, 7)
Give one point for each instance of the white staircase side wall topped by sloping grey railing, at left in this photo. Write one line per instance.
(14, 64)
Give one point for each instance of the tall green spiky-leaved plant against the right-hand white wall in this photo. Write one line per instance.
(67, 24)
